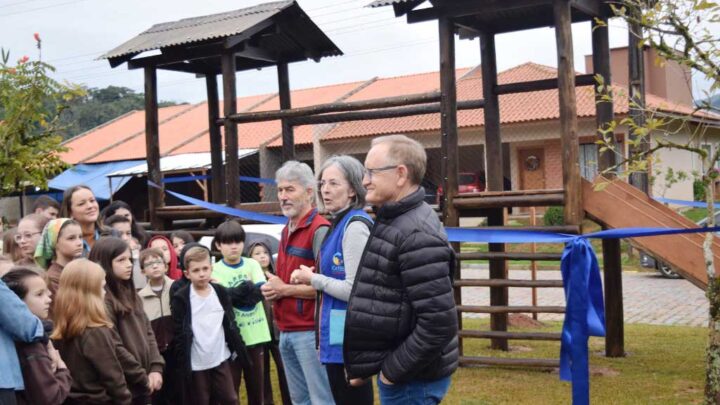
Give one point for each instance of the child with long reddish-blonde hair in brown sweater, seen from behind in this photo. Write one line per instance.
(101, 367)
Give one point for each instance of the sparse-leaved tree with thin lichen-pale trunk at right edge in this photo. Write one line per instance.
(686, 32)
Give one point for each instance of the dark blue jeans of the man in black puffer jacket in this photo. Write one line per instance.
(414, 392)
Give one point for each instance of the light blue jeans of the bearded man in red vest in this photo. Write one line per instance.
(307, 379)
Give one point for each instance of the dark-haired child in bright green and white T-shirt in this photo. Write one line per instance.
(230, 272)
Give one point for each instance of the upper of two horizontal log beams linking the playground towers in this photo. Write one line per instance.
(379, 103)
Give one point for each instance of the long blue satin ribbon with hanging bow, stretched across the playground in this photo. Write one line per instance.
(585, 310)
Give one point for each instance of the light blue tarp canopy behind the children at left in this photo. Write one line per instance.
(93, 176)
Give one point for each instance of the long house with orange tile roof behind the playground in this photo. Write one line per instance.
(529, 128)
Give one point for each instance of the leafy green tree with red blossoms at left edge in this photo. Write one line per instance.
(30, 127)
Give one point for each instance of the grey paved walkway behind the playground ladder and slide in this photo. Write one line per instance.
(648, 297)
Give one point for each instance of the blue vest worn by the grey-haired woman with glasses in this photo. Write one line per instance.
(332, 310)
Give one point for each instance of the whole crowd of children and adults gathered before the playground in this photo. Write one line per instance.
(96, 310)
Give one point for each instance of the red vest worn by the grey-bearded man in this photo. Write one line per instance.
(296, 248)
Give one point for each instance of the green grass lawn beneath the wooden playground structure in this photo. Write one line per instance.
(664, 365)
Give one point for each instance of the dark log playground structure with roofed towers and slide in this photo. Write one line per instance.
(279, 33)
